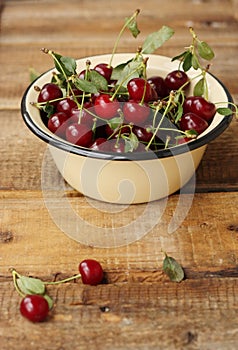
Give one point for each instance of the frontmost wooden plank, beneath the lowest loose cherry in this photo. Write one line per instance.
(190, 315)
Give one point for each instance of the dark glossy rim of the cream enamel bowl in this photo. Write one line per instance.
(86, 152)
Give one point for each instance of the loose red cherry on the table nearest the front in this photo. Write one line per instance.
(34, 307)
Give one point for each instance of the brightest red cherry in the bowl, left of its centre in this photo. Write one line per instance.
(104, 107)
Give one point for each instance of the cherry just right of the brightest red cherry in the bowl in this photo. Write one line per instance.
(135, 113)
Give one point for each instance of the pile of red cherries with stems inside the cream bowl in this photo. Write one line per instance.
(88, 122)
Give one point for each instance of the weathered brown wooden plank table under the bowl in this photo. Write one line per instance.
(139, 307)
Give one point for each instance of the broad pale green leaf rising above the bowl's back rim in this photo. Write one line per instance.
(155, 40)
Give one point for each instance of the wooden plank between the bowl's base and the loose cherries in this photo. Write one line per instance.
(205, 244)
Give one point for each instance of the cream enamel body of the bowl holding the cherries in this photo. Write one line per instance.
(127, 178)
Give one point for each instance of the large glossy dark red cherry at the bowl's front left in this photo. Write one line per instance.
(79, 134)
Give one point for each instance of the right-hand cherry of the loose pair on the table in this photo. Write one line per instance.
(91, 272)
